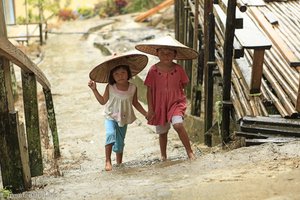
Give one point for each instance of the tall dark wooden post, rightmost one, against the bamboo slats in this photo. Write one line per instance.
(228, 56)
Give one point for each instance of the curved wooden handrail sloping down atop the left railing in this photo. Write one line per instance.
(12, 53)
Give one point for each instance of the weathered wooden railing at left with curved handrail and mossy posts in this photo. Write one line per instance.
(20, 147)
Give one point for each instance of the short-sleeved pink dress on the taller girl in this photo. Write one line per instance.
(168, 95)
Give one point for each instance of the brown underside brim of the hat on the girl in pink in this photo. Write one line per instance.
(182, 53)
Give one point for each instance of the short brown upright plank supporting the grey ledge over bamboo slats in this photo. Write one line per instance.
(257, 70)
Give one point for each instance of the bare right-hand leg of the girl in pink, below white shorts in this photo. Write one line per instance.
(184, 139)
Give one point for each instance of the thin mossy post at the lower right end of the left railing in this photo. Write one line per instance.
(52, 121)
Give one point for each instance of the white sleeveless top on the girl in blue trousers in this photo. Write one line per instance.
(119, 105)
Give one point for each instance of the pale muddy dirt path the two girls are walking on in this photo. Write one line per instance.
(269, 171)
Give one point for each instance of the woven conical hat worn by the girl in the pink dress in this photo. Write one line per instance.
(183, 52)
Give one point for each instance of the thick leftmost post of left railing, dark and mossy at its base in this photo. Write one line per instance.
(10, 160)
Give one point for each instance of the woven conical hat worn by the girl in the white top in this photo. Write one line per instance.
(136, 62)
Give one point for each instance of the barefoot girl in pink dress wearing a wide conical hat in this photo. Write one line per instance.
(165, 83)
